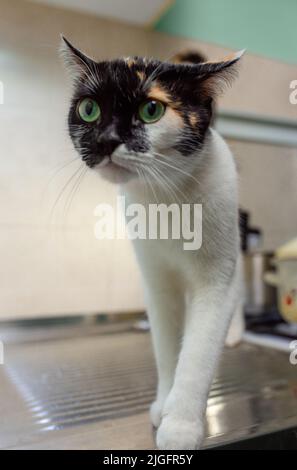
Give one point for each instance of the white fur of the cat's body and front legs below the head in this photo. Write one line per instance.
(192, 295)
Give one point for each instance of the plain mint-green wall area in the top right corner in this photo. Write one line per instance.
(264, 27)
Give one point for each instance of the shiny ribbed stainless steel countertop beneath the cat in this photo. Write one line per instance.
(86, 386)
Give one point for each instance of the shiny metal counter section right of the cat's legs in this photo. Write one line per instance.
(254, 392)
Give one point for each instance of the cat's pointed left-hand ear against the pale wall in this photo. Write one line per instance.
(77, 62)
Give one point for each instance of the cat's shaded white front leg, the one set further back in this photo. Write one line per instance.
(165, 308)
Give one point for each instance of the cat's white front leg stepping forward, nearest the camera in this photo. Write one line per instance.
(206, 325)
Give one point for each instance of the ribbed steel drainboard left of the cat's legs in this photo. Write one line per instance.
(67, 383)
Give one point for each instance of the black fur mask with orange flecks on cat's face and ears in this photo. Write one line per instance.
(120, 86)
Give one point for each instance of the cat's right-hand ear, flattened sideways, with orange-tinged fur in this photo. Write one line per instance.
(215, 76)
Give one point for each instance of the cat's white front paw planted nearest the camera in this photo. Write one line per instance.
(176, 434)
